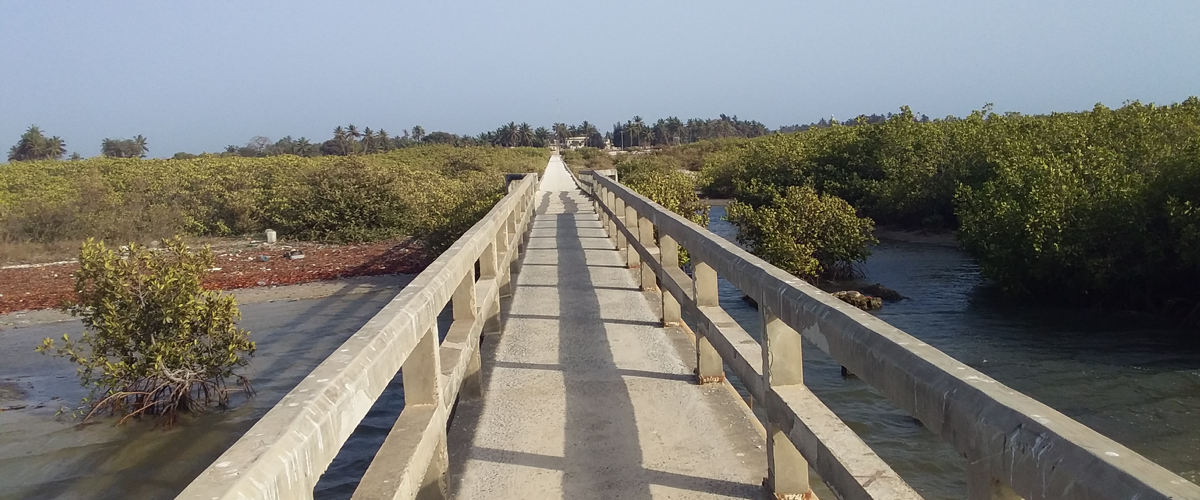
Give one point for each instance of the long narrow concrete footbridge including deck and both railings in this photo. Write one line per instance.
(585, 363)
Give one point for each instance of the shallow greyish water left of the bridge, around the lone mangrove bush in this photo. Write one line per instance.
(49, 457)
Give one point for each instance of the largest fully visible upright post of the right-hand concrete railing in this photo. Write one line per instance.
(788, 472)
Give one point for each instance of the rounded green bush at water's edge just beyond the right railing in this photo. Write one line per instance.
(807, 234)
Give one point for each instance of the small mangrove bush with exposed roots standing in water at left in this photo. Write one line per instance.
(157, 342)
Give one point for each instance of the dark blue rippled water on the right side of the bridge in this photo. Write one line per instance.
(1132, 378)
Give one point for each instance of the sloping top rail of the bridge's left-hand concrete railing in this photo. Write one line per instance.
(289, 449)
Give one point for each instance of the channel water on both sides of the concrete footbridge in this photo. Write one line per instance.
(1132, 378)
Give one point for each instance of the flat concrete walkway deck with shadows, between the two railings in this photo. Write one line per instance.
(586, 395)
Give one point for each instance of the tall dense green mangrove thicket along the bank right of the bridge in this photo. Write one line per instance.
(1094, 208)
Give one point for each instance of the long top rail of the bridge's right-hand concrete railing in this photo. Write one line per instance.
(1039, 451)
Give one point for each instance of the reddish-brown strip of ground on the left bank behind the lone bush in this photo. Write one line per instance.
(238, 266)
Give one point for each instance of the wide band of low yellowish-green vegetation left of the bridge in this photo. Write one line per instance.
(433, 192)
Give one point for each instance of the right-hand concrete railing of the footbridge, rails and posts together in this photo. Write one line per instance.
(1015, 447)
